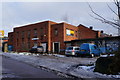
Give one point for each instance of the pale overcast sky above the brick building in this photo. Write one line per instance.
(15, 14)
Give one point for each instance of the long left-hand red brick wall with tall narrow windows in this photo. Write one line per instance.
(45, 25)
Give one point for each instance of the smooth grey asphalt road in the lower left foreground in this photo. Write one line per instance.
(22, 70)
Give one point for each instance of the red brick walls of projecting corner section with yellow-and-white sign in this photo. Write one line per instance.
(61, 37)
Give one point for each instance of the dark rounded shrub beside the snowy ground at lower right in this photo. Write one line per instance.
(108, 65)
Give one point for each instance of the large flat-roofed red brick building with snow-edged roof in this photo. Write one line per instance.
(50, 35)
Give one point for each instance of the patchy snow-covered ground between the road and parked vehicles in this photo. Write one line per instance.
(68, 65)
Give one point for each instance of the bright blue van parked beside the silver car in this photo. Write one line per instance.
(89, 49)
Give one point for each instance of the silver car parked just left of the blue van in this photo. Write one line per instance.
(72, 51)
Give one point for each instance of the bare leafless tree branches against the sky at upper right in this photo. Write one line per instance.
(115, 22)
